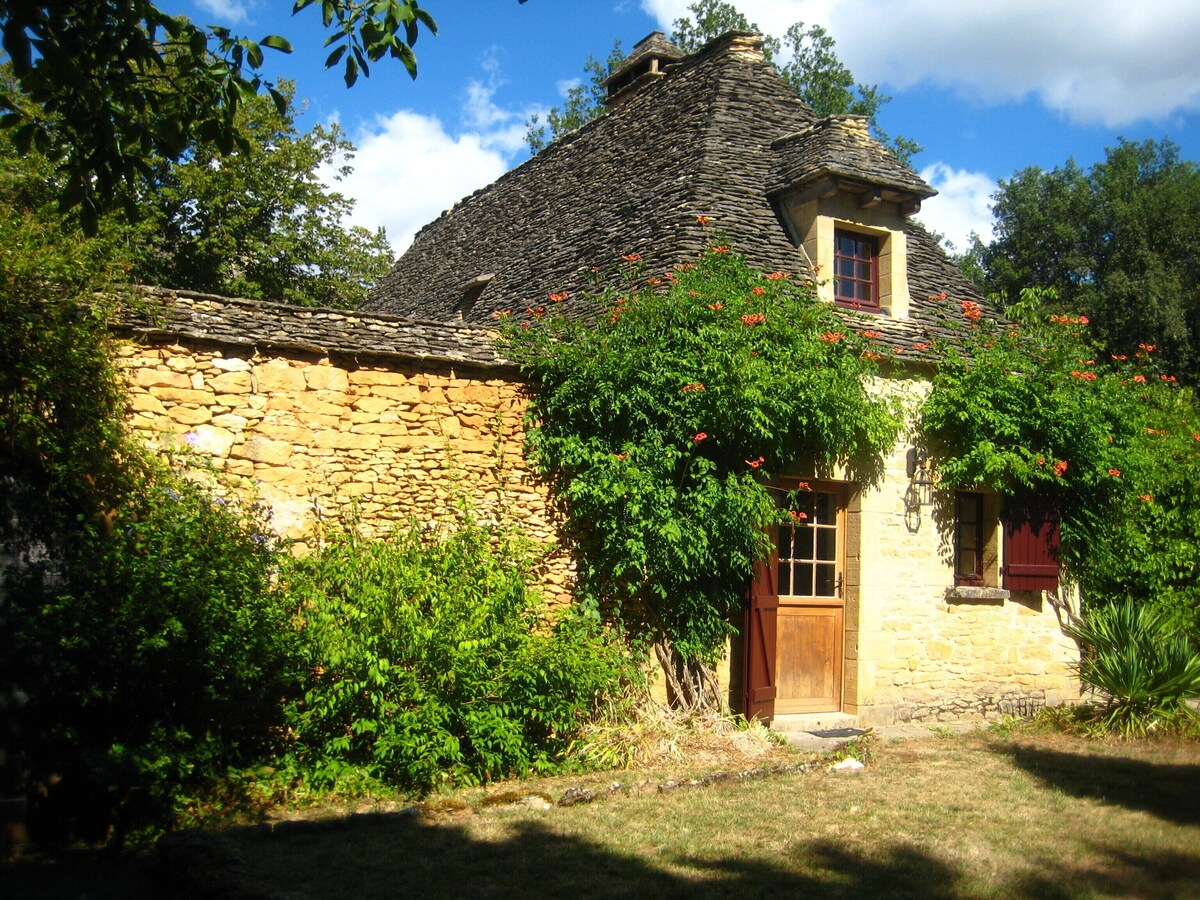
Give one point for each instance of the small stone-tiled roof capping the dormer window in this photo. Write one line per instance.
(843, 146)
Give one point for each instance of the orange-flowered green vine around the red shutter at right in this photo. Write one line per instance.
(1111, 439)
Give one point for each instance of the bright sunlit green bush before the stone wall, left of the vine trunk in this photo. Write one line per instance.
(431, 661)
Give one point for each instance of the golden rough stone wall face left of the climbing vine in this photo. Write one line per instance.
(313, 435)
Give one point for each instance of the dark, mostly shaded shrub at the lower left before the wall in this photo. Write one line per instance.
(151, 653)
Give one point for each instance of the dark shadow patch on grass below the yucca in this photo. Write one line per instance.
(1171, 791)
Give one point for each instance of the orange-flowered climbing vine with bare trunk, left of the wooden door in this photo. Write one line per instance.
(663, 416)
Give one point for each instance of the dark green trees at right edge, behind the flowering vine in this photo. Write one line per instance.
(1117, 244)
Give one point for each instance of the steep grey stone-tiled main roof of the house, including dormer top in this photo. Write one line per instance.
(715, 137)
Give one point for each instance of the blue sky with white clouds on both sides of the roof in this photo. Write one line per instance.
(987, 87)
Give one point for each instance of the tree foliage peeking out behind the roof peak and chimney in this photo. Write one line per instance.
(817, 74)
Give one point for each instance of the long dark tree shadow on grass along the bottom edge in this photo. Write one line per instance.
(535, 860)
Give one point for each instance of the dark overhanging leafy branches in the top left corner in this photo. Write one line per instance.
(105, 88)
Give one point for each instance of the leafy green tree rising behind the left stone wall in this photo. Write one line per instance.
(261, 223)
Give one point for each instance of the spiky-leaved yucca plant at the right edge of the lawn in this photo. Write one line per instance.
(1145, 668)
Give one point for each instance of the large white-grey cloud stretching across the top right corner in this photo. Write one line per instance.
(1095, 62)
